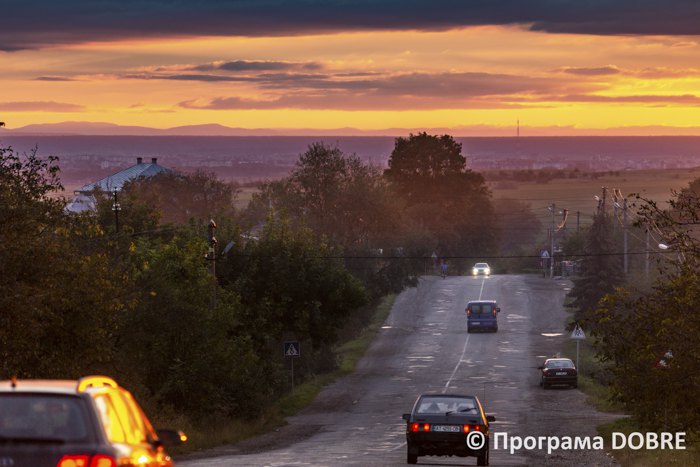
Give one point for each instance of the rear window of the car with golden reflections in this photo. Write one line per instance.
(42, 416)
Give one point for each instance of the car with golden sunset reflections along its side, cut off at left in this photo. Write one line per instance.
(91, 422)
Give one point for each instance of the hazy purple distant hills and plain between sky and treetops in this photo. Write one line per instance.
(90, 151)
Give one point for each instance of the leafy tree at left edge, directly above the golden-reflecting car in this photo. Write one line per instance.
(58, 300)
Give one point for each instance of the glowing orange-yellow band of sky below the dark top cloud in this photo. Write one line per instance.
(469, 79)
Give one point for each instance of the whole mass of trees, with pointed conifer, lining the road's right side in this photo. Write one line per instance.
(646, 333)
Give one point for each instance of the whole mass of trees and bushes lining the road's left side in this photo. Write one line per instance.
(79, 295)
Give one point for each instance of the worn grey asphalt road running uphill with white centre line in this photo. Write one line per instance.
(424, 347)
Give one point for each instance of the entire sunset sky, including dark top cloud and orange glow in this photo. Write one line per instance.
(471, 67)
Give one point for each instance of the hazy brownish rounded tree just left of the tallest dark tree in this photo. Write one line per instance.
(349, 204)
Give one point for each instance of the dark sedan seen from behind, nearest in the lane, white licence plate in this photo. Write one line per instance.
(447, 425)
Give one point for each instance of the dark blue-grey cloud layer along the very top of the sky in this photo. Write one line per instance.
(41, 23)
